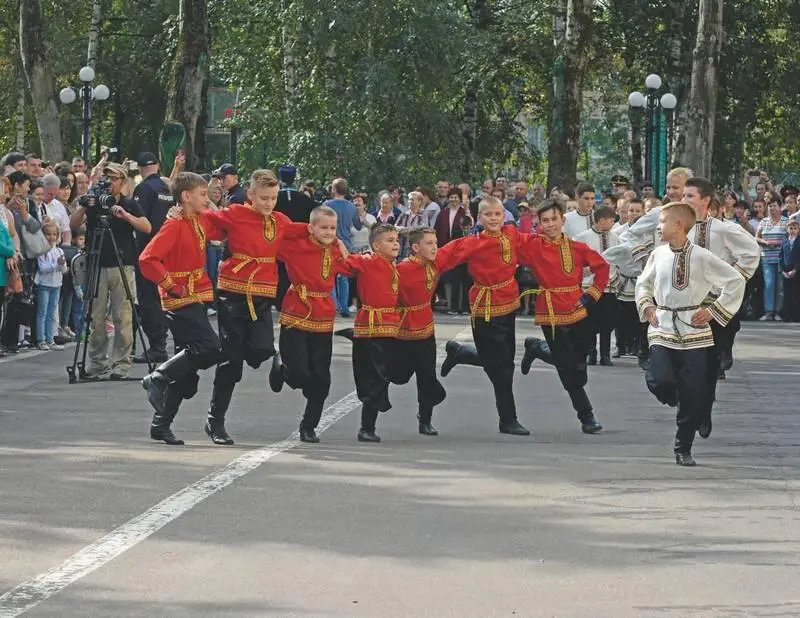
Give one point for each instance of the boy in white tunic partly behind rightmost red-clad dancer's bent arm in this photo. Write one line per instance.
(603, 314)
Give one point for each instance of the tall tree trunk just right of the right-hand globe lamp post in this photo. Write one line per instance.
(703, 92)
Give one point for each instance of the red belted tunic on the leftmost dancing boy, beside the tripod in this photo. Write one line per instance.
(177, 256)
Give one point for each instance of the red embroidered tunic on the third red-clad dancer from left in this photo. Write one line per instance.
(312, 268)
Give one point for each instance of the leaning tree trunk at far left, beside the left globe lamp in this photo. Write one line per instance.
(42, 85)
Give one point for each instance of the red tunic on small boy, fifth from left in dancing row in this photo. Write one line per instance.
(418, 281)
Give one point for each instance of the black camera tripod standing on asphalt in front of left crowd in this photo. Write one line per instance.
(100, 234)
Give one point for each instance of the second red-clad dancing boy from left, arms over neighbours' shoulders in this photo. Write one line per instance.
(247, 284)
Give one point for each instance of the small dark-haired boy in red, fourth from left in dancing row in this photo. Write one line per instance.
(376, 325)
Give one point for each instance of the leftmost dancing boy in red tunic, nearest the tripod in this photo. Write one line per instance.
(175, 261)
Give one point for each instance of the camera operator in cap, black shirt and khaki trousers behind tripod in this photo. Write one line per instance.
(122, 219)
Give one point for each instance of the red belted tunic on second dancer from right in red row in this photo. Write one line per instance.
(492, 264)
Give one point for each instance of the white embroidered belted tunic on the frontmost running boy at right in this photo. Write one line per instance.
(677, 282)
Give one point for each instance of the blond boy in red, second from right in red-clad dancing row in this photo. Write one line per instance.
(494, 297)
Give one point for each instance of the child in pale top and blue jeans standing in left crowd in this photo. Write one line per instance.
(50, 273)
